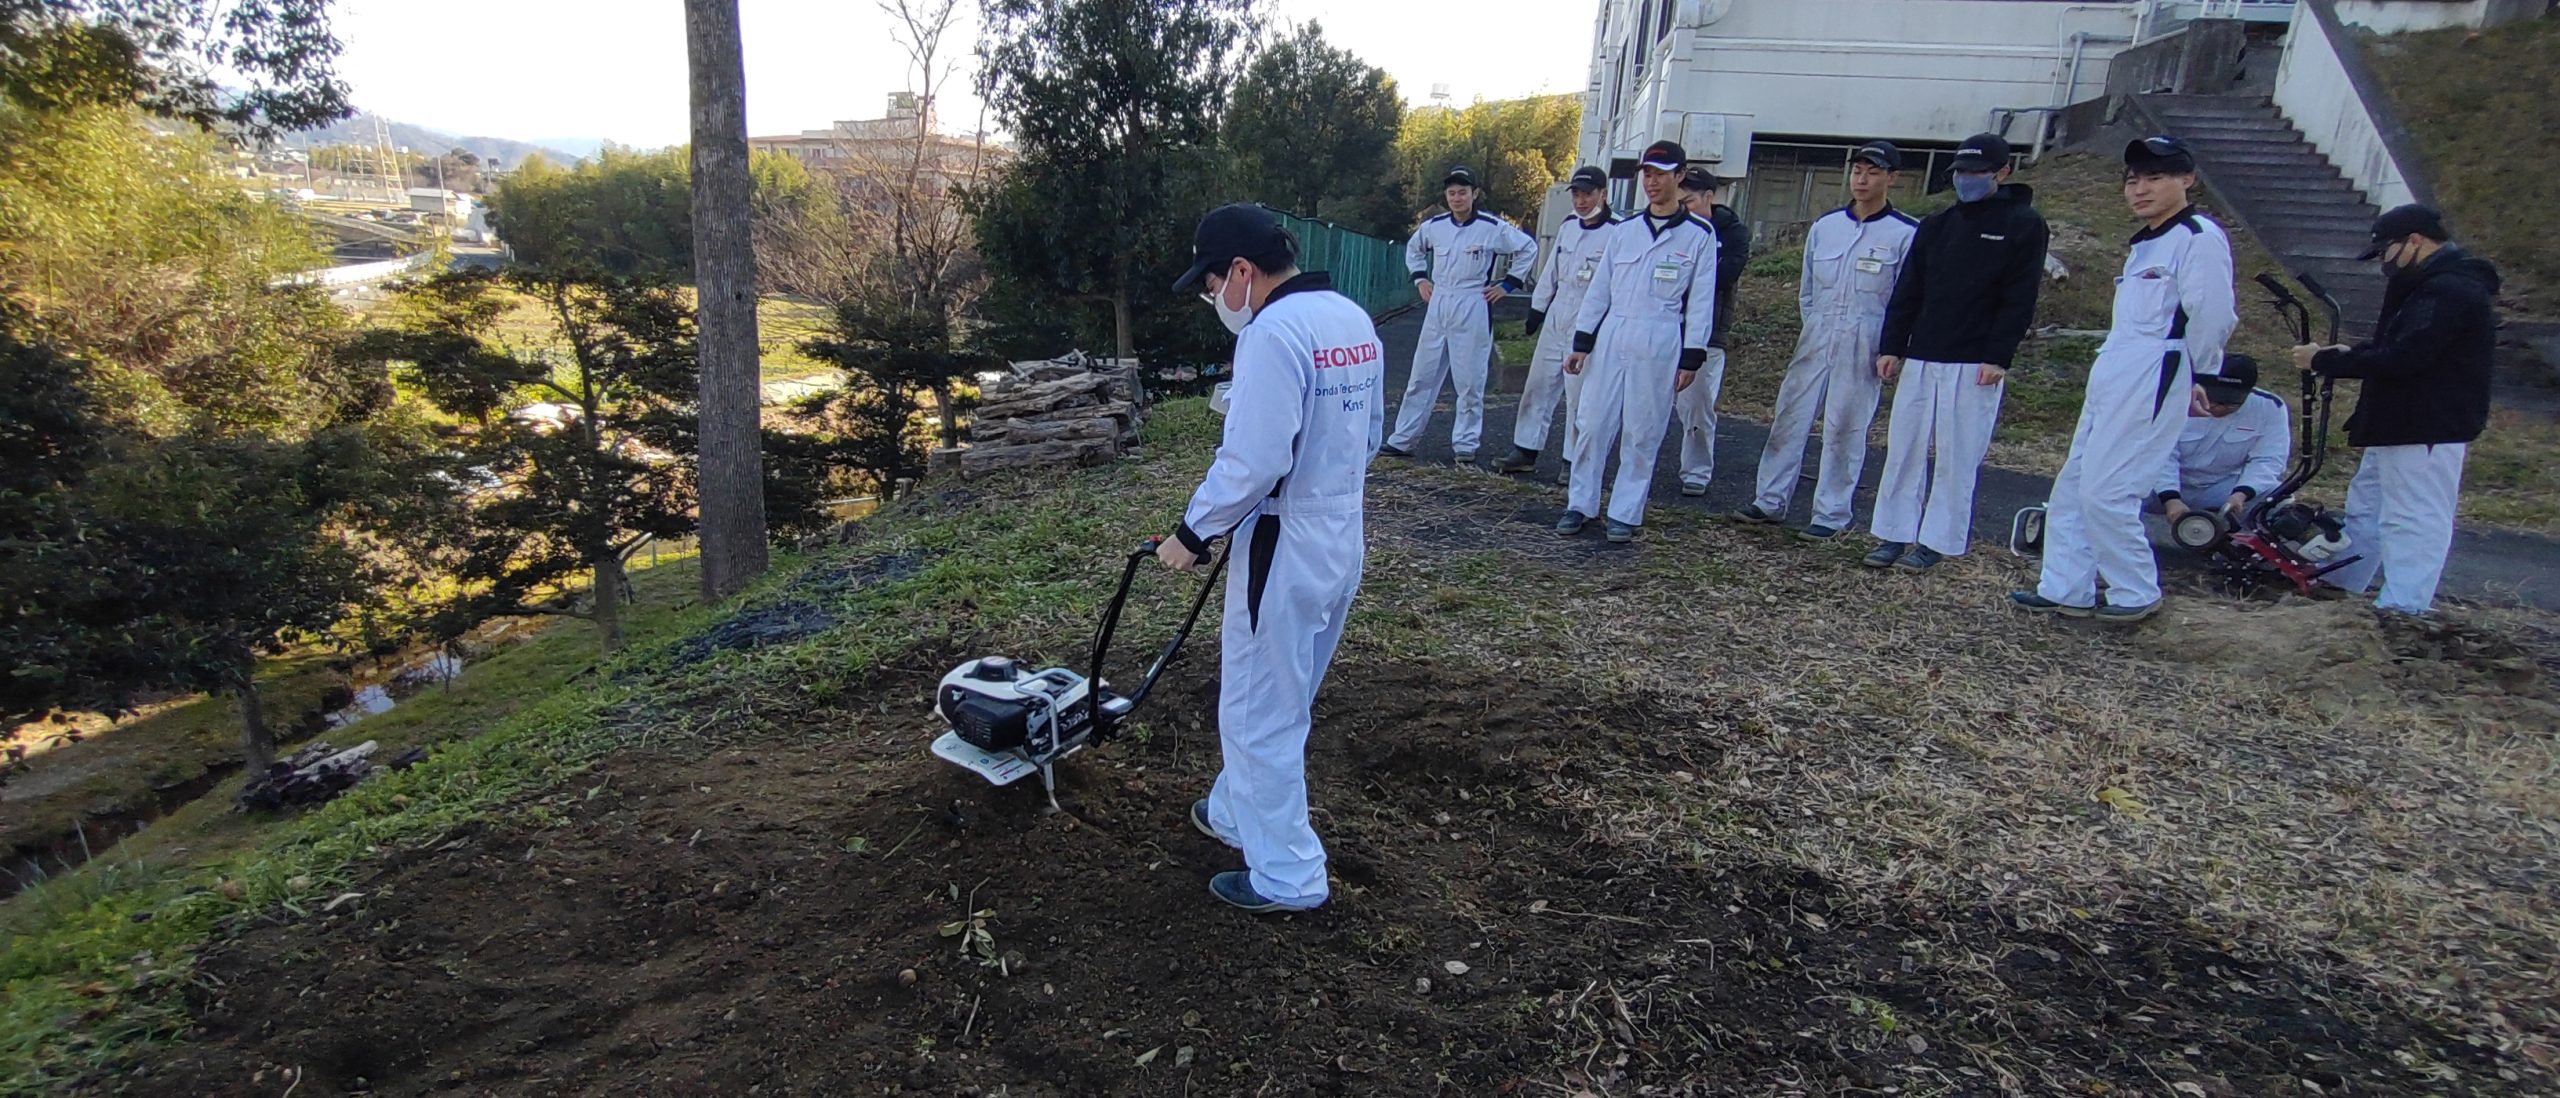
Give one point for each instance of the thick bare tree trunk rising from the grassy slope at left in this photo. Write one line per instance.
(731, 470)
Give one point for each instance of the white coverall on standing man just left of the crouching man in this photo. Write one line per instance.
(2172, 314)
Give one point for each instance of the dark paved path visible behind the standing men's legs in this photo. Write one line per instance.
(2487, 564)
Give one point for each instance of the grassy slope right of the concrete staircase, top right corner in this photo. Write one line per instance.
(2484, 109)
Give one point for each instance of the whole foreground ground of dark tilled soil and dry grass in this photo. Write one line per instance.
(1755, 877)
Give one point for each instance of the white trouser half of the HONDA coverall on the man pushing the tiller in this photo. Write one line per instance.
(1284, 618)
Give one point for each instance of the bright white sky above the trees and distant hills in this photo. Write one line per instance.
(616, 68)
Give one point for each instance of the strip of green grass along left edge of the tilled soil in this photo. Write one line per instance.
(93, 964)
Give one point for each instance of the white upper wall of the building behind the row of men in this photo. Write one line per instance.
(1908, 70)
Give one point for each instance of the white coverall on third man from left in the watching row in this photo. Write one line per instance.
(1650, 308)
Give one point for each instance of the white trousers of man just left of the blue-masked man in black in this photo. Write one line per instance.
(1847, 395)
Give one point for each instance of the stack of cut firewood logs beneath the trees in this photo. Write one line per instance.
(1051, 413)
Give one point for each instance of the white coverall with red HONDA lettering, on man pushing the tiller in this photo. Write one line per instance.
(1302, 426)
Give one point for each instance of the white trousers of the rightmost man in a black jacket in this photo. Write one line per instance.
(2400, 523)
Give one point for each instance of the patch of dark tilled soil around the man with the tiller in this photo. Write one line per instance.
(782, 923)
